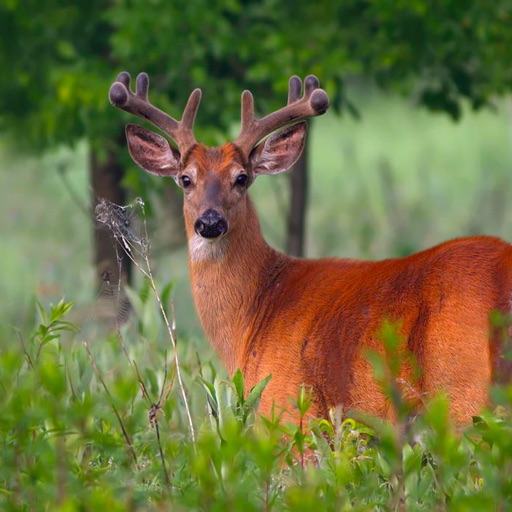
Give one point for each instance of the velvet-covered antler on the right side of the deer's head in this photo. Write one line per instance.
(314, 103)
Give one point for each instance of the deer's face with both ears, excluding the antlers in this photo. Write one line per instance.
(215, 180)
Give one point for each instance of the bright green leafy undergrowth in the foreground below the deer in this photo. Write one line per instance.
(75, 436)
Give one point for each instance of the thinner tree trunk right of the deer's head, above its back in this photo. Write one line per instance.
(298, 204)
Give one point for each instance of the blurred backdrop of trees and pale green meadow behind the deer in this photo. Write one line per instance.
(415, 149)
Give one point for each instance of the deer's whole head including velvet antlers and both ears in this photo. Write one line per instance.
(215, 180)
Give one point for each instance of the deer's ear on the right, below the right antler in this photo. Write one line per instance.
(280, 151)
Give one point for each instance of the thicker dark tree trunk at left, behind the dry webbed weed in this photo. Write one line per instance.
(106, 175)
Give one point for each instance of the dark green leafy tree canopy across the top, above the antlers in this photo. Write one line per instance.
(61, 59)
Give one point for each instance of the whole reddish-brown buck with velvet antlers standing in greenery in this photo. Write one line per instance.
(311, 322)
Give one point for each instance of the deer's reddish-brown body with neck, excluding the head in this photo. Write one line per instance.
(312, 321)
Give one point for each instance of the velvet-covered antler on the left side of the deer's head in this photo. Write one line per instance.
(138, 104)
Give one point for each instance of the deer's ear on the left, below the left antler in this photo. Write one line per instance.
(152, 152)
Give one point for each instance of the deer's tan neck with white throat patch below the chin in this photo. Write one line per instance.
(227, 276)
